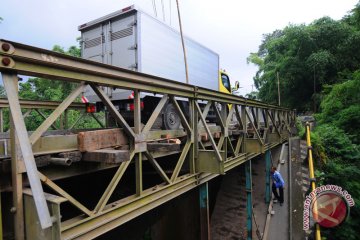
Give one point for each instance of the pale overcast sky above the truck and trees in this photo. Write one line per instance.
(232, 28)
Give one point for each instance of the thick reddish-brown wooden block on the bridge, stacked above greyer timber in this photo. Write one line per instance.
(98, 139)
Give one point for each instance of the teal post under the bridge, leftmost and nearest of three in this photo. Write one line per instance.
(204, 212)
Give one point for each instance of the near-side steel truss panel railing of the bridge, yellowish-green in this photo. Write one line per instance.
(244, 129)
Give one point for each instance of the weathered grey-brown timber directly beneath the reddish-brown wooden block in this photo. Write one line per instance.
(110, 156)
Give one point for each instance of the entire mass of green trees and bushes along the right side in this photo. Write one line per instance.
(320, 63)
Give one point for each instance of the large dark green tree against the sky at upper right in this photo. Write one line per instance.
(307, 57)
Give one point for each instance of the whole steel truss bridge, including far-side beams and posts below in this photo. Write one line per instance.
(245, 129)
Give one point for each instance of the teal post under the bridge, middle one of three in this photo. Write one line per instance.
(248, 199)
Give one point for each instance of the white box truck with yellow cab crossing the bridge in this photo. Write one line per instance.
(132, 39)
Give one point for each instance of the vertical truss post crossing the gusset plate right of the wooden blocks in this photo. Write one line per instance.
(137, 130)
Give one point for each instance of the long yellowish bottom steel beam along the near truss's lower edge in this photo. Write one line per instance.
(125, 211)
